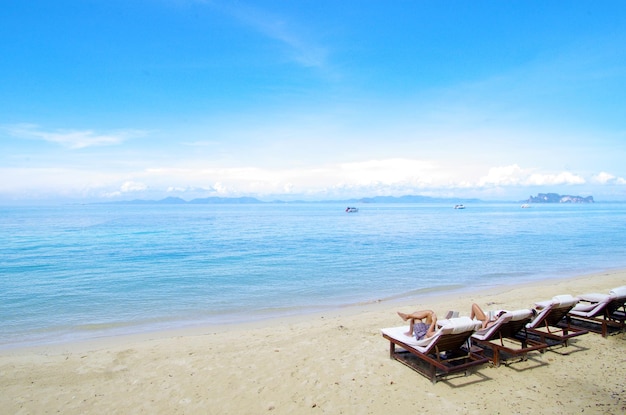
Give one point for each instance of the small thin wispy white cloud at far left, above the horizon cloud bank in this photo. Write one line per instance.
(72, 139)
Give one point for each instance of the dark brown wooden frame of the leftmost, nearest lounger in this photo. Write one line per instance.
(431, 364)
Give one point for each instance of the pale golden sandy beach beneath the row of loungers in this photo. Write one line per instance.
(332, 363)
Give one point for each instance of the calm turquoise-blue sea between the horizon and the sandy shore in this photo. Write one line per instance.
(76, 272)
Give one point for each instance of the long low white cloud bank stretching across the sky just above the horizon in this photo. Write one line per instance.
(394, 176)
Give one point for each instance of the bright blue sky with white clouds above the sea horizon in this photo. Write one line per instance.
(497, 100)
